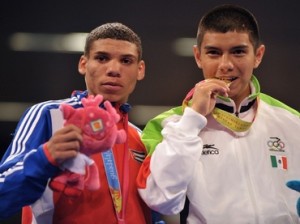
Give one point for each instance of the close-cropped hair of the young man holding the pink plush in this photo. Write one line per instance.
(115, 30)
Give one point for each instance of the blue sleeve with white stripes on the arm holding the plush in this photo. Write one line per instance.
(24, 169)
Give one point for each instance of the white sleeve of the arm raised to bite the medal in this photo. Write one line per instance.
(172, 163)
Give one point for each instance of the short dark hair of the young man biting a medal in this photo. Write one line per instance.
(226, 18)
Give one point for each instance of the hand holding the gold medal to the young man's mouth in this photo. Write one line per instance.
(205, 93)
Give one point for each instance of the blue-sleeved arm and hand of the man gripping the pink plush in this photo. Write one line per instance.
(29, 163)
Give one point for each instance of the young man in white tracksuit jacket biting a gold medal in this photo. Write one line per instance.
(227, 153)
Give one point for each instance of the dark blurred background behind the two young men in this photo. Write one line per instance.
(28, 77)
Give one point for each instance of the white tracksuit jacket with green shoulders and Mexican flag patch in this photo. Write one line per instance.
(229, 177)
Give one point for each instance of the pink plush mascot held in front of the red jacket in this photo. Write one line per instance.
(100, 133)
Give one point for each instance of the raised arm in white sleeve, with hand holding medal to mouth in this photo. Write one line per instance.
(167, 171)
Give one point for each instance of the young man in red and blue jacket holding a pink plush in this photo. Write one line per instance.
(111, 66)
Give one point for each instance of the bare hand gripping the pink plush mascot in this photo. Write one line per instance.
(65, 143)
